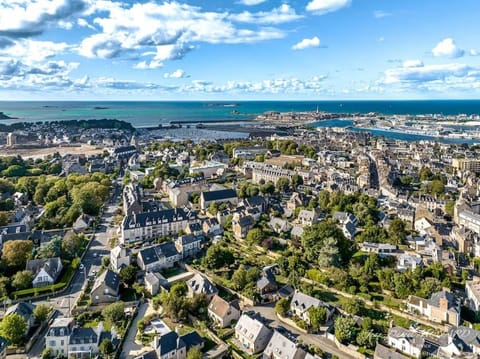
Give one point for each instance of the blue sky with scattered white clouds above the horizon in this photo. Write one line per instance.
(243, 49)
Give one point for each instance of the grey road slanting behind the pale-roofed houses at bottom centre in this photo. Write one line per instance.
(268, 313)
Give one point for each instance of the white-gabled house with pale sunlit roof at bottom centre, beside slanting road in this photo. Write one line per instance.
(251, 334)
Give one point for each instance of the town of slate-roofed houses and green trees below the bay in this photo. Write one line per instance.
(316, 243)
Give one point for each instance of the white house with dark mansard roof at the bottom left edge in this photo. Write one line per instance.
(66, 339)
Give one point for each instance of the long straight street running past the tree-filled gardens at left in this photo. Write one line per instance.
(92, 262)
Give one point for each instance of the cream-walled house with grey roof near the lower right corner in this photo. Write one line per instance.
(442, 306)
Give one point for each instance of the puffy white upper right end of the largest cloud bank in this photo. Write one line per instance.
(284, 13)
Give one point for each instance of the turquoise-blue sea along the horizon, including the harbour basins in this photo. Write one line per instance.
(155, 113)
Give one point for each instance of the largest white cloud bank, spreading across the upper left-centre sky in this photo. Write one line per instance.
(170, 27)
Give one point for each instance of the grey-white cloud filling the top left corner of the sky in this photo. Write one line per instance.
(26, 18)
